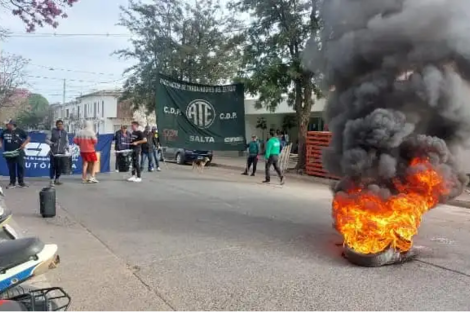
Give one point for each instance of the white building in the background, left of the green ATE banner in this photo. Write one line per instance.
(103, 108)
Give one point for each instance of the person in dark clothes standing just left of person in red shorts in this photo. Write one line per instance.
(59, 142)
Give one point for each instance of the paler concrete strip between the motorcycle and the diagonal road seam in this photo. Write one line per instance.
(95, 278)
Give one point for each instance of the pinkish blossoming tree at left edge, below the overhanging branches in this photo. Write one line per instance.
(12, 75)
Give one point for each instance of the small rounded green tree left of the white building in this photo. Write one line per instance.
(37, 115)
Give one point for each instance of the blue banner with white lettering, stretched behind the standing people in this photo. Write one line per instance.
(37, 156)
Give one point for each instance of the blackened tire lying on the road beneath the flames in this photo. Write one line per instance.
(387, 257)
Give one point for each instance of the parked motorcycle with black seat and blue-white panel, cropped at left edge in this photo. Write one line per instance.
(21, 259)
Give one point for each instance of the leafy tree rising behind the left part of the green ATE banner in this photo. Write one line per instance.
(192, 43)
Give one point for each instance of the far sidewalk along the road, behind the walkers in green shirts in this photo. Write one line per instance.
(239, 163)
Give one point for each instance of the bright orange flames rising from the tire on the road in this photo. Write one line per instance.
(370, 224)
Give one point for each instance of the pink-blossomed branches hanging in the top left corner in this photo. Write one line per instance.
(38, 12)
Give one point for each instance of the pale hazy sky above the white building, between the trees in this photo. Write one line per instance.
(53, 59)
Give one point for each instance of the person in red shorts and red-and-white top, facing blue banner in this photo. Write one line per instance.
(86, 140)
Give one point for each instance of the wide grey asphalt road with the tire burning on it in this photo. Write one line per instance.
(219, 241)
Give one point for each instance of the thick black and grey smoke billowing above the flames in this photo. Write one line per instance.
(401, 76)
